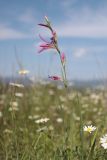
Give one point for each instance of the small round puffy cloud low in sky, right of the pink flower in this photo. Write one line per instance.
(79, 52)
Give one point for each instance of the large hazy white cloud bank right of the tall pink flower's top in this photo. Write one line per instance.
(84, 23)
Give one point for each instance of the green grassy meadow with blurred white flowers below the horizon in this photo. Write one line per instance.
(62, 137)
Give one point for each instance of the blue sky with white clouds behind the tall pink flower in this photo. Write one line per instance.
(81, 26)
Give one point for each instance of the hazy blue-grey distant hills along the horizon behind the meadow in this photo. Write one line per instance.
(75, 83)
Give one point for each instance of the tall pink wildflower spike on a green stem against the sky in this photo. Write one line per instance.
(53, 44)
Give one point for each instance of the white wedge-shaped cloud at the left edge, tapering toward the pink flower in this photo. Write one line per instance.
(7, 32)
